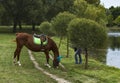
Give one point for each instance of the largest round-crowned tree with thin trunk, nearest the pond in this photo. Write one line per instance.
(87, 34)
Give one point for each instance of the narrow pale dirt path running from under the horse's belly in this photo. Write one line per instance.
(59, 80)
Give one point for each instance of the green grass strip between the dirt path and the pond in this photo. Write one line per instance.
(96, 72)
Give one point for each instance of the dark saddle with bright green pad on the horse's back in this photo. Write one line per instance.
(40, 39)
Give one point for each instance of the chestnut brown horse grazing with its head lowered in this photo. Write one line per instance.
(25, 39)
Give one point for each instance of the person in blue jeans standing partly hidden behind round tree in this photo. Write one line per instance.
(78, 54)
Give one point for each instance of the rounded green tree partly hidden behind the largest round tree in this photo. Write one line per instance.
(60, 25)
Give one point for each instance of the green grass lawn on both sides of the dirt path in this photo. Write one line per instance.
(9, 73)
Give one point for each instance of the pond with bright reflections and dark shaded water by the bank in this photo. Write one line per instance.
(111, 54)
